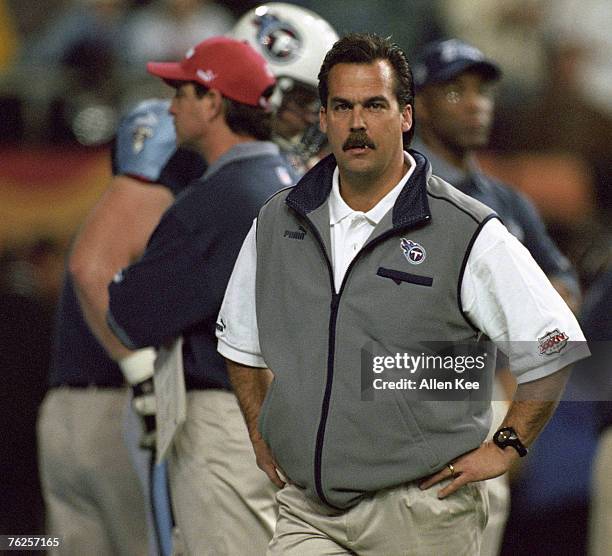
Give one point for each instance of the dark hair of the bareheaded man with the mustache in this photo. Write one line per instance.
(365, 48)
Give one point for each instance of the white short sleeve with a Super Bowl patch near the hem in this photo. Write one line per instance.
(508, 297)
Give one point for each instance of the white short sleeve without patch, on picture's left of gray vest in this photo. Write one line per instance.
(237, 334)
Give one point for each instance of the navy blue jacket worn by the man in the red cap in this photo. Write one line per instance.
(178, 285)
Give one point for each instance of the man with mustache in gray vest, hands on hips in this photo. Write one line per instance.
(390, 259)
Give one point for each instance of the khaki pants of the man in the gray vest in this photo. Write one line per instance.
(403, 521)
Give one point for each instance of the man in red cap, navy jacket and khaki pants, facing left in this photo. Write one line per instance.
(222, 502)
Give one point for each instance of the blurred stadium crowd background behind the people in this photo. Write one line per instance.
(69, 68)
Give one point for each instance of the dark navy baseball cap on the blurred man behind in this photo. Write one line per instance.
(442, 61)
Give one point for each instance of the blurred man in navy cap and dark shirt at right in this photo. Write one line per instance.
(455, 102)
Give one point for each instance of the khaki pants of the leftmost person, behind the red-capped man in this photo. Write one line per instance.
(92, 494)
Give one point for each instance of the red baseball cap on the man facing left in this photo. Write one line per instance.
(232, 67)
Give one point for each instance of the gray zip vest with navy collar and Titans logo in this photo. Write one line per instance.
(323, 425)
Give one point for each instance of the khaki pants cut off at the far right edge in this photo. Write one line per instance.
(600, 530)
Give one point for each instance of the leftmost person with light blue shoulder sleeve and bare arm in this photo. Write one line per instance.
(92, 494)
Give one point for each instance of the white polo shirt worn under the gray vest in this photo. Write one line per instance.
(504, 292)
